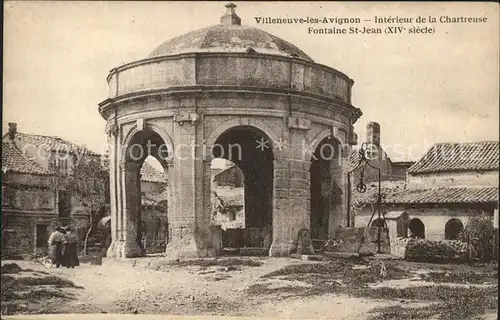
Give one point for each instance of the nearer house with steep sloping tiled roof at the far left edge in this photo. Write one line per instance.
(29, 203)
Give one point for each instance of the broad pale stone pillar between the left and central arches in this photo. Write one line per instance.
(190, 224)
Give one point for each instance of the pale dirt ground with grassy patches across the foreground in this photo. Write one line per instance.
(264, 287)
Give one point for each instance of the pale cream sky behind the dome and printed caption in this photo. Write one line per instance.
(421, 89)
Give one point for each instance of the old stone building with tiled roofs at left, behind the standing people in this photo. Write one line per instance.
(32, 200)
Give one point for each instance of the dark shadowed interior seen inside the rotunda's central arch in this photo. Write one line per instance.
(250, 150)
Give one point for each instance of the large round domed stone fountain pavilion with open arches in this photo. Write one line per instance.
(197, 95)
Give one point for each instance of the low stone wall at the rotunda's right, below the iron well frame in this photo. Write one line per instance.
(366, 239)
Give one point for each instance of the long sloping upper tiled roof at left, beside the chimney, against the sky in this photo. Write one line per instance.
(52, 143)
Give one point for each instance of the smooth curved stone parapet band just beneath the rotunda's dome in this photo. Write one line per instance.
(229, 69)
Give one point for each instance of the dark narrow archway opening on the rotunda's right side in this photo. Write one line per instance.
(324, 187)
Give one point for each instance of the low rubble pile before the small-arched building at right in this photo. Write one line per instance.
(422, 250)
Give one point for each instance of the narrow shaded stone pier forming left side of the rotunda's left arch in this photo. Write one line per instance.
(132, 210)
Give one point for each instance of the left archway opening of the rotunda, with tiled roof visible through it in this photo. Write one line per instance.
(147, 191)
